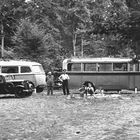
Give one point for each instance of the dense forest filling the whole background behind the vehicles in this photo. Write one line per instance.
(47, 31)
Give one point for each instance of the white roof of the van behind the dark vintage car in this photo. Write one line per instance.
(17, 63)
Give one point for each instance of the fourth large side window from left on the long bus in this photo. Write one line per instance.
(120, 67)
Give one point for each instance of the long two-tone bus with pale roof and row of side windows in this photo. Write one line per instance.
(106, 73)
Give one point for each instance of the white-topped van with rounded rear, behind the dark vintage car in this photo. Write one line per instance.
(27, 70)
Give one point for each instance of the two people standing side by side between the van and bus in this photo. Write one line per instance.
(63, 78)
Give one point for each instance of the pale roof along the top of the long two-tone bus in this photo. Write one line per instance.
(101, 59)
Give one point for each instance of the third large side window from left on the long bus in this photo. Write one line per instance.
(104, 67)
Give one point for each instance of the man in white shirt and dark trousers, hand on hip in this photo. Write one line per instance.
(64, 79)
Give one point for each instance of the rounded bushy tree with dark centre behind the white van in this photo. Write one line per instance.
(32, 43)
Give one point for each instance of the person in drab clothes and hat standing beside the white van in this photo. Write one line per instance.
(50, 83)
